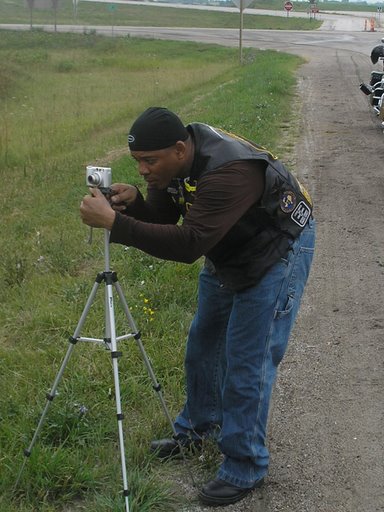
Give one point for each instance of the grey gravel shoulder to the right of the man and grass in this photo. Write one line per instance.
(326, 427)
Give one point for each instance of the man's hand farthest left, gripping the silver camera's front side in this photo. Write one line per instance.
(96, 211)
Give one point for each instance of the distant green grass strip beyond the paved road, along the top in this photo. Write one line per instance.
(96, 13)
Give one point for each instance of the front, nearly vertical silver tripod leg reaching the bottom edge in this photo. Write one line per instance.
(110, 325)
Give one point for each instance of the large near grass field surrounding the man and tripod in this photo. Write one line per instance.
(67, 101)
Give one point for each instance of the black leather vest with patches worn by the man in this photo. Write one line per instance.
(264, 233)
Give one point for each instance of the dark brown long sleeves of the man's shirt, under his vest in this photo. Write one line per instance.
(222, 197)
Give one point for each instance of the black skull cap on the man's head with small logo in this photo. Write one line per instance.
(156, 128)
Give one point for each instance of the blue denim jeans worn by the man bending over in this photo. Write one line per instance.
(235, 344)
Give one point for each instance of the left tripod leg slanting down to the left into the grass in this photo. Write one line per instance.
(52, 394)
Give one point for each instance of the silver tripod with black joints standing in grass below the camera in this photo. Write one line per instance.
(110, 341)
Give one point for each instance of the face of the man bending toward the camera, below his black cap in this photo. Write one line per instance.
(159, 167)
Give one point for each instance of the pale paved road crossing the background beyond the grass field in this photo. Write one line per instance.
(339, 31)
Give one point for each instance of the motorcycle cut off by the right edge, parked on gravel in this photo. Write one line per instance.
(375, 88)
